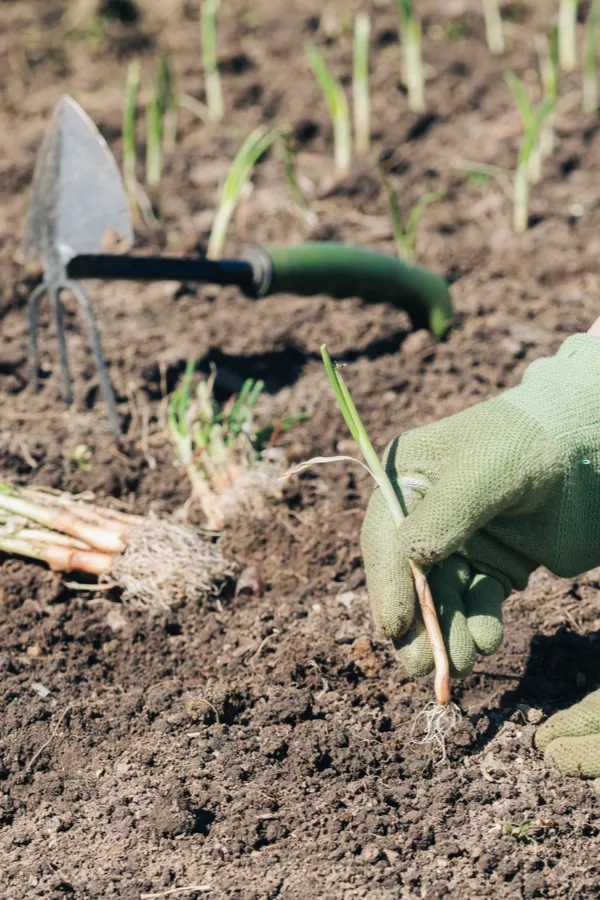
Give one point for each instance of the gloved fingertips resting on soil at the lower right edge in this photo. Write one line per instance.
(570, 740)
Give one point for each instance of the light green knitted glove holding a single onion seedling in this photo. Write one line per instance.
(491, 493)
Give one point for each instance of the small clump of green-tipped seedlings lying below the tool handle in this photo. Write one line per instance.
(230, 461)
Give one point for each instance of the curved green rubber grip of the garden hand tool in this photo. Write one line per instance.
(341, 271)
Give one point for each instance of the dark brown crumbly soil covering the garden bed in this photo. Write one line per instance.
(262, 748)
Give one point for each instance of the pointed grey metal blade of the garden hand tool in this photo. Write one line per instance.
(78, 203)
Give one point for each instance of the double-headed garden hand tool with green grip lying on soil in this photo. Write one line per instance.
(78, 211)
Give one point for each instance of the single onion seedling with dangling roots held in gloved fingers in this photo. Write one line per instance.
(441, 717)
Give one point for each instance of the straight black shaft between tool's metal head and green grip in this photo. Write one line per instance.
(162, 268)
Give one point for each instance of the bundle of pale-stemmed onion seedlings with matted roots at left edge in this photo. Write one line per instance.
(153, 562)
